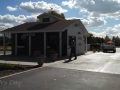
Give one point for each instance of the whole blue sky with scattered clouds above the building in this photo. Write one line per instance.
(100, 17)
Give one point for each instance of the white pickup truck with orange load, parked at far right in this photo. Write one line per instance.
(109, 46)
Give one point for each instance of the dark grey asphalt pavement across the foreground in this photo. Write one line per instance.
(49, 78)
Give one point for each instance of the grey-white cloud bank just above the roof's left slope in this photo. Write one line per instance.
(7, 21)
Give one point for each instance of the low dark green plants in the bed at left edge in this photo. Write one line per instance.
(7, 66)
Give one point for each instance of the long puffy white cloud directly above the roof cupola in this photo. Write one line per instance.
(40, 7)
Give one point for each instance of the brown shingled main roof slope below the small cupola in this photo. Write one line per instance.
(33, 26)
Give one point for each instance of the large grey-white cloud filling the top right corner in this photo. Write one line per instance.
(106, 8)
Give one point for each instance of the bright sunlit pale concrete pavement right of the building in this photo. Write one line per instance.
(97, 62)
